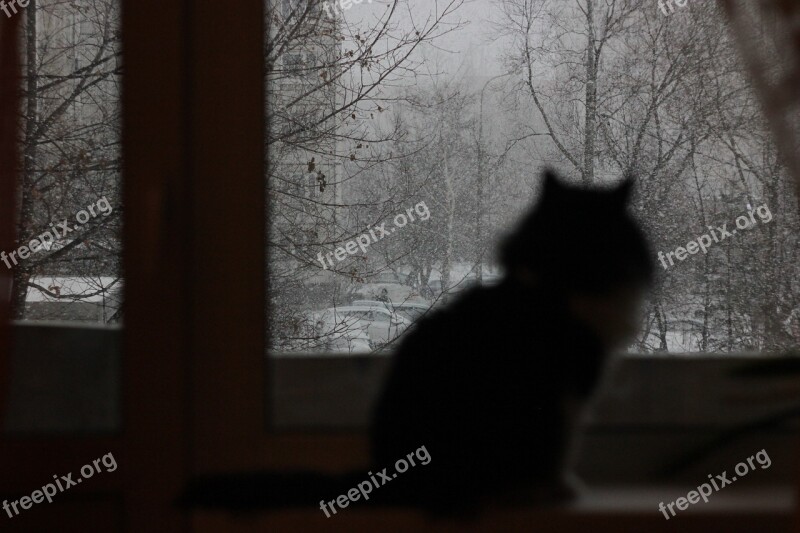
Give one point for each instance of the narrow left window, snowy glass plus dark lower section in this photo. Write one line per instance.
(66, 255)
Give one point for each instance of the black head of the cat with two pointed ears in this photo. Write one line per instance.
(580, 240)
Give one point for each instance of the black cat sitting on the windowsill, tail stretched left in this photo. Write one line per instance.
(491, 386)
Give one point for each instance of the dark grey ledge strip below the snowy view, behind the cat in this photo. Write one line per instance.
(307, 393)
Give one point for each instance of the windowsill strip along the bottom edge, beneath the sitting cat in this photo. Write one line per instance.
(600, 510)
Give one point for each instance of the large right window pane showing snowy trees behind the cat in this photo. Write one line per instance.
(407, 136)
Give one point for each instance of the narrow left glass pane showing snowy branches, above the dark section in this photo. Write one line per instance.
(67, 263)
